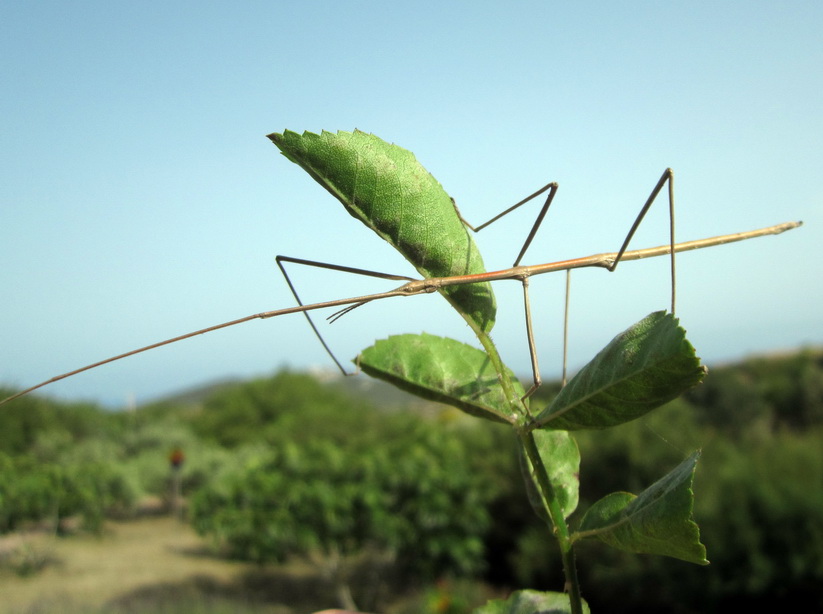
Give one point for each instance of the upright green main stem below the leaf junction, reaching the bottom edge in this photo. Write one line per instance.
(559, 528)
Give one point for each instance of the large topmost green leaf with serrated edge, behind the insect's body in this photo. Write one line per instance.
(386, 188)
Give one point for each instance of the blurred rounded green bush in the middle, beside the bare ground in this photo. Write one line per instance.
(408, 502)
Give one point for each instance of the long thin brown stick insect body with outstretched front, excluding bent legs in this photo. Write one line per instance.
(426, 286)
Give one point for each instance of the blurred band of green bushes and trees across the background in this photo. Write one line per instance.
(290, 443)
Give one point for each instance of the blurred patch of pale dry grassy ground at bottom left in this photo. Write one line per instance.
(150, 565)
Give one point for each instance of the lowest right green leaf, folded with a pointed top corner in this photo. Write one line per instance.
(658, 521)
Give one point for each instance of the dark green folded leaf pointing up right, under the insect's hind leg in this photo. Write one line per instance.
(641, 369)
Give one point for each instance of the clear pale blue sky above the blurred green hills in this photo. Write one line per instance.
(140, 199)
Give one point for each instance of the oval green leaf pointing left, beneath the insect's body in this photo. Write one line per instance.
(440, 369)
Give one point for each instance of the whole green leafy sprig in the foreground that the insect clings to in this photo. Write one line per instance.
(641, 369)
